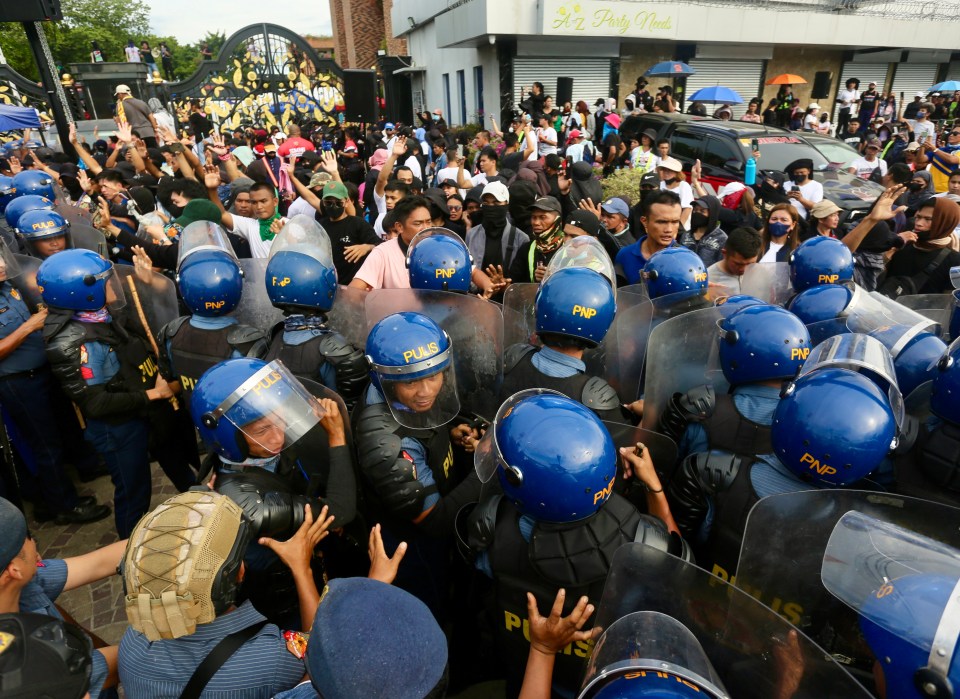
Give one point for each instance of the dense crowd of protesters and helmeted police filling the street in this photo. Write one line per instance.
(416, 386)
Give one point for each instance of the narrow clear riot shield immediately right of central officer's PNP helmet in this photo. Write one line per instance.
(625, 346)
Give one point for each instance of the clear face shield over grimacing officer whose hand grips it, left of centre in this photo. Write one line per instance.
(270, 411)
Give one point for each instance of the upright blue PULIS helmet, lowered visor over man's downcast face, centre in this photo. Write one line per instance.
(411, 363)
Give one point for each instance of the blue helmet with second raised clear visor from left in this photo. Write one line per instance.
(300, 270)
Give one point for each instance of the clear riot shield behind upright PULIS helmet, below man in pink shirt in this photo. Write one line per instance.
(475, 327)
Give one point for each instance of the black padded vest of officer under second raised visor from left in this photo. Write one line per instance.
(306, 360)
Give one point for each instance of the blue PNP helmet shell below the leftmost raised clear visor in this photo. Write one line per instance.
(210, 283)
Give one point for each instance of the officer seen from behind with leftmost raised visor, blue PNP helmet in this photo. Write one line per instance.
(210, 282)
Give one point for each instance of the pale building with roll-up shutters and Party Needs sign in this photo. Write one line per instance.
(471, 58)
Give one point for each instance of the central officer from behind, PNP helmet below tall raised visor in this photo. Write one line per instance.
(574, 309)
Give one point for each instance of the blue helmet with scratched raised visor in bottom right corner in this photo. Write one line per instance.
(905, 588)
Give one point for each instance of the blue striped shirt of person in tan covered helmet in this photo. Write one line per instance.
(261, 668)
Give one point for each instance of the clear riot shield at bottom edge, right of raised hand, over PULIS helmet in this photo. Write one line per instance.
(753, 651)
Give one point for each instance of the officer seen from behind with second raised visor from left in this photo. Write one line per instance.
(301, 281)
